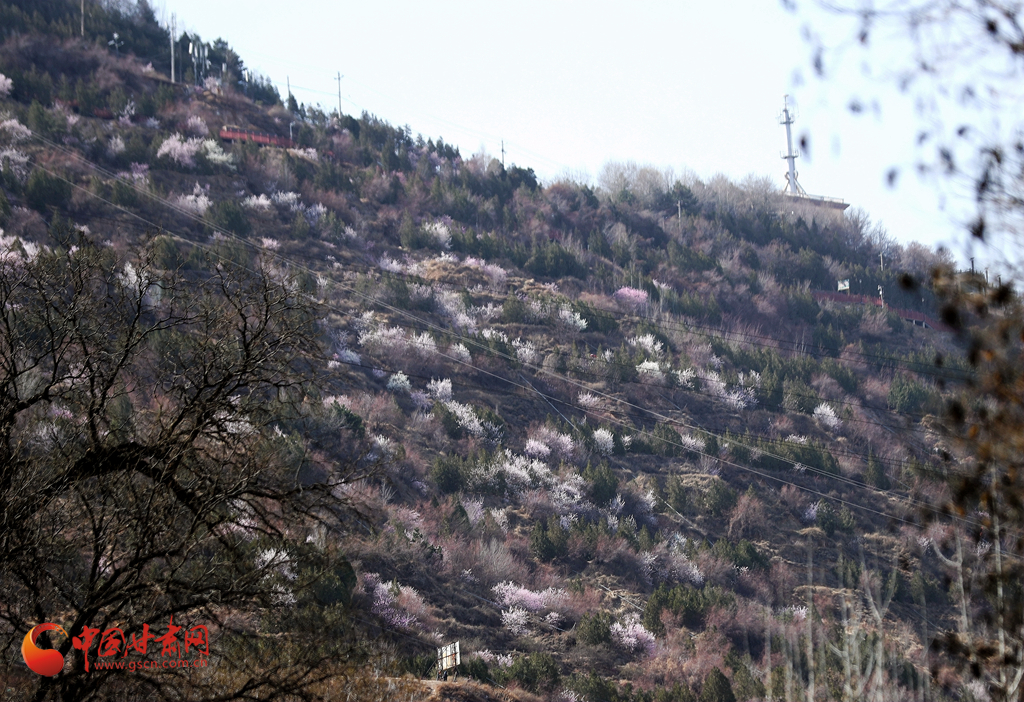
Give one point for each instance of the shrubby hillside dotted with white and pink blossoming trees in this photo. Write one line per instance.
(608, 438)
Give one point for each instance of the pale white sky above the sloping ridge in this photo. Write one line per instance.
(571, 85)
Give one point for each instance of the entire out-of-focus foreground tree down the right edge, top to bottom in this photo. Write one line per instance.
(973, 53)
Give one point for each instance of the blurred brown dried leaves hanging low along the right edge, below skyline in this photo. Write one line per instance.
(987, 422)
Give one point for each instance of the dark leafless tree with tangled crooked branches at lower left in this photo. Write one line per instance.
(163, 455)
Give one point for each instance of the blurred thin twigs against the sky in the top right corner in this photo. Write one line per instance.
(962, 62)
